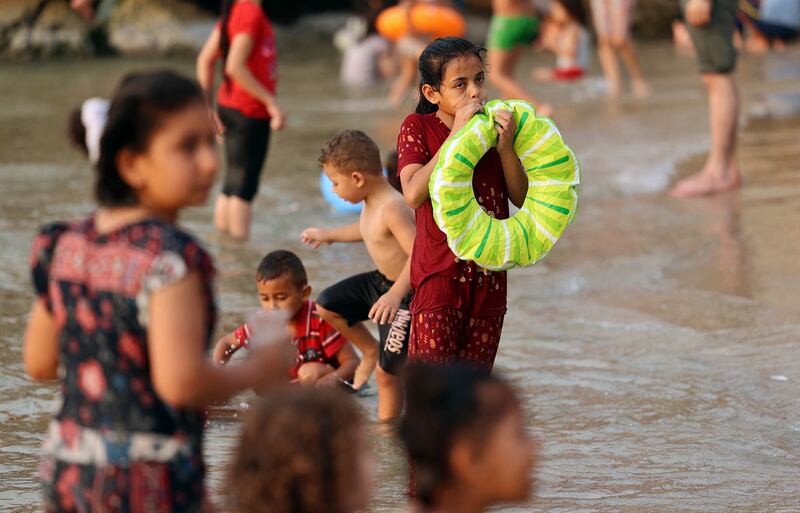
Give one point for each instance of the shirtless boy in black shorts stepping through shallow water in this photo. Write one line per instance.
(351, 161)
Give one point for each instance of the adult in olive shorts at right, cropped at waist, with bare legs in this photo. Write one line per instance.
(711, 24)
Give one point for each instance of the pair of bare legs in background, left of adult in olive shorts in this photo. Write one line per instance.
(612, 23)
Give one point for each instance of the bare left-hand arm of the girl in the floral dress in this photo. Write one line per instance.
(40, 348)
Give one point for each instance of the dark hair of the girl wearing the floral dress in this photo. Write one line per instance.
(137, 110)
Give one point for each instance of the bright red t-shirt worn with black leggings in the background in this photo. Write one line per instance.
(249, 18)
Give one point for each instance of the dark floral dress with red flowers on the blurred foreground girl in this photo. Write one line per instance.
(114, 445)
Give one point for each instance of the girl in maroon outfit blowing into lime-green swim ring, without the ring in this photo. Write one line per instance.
(458, 307)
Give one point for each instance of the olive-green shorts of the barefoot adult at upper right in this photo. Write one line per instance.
(714, 41)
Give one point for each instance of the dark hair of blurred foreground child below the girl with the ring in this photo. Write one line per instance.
(444, 404)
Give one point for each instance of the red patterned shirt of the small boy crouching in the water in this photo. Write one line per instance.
(314, 338)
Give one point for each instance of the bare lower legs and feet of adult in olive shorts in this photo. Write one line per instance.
(720, 172)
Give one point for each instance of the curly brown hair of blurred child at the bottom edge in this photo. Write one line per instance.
(297, 453)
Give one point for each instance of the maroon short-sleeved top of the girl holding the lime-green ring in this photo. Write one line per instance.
(420, 137)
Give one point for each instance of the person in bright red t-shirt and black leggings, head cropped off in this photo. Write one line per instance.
(246, 102)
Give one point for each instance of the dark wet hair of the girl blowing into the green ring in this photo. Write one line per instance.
(433, 61)
